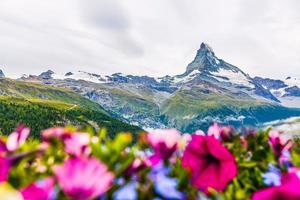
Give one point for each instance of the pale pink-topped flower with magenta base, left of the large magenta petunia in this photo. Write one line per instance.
(164, 143)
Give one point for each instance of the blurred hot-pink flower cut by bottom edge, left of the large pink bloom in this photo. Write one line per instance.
(41, 190)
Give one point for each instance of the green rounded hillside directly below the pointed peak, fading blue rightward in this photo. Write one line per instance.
(192, 109)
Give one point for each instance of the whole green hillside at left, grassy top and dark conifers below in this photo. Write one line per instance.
(41, 107)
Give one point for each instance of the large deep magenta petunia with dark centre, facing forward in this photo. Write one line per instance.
(210, 163)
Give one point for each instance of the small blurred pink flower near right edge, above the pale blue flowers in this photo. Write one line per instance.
(278, 142)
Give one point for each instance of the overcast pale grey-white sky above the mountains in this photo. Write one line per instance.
(153, 37)
